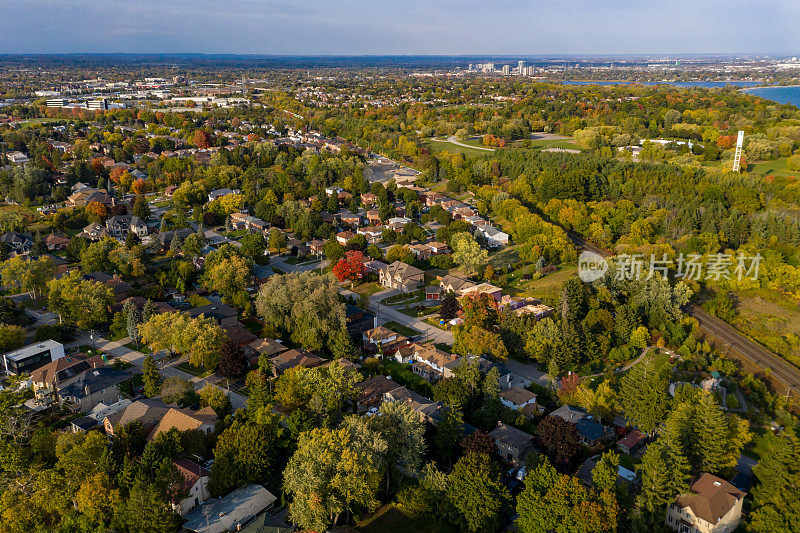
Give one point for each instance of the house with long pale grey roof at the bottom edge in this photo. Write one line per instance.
(231, 512)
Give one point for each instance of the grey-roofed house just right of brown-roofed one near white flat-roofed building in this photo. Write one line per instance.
(92, 387)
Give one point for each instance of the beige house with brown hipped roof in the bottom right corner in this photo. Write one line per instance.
(712, 506)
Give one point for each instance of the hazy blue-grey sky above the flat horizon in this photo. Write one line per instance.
(407, 27)
